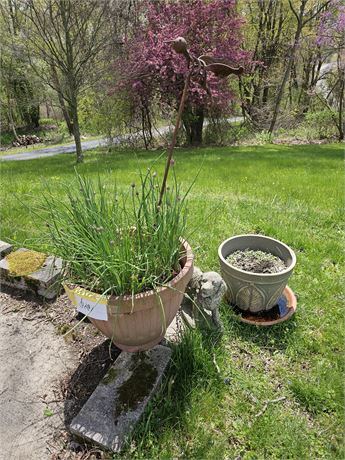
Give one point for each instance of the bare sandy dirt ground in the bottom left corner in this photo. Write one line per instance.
(46, 377)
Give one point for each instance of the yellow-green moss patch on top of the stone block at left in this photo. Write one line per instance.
(21, 263)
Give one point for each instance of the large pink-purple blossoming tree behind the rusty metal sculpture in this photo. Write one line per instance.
(152, 74)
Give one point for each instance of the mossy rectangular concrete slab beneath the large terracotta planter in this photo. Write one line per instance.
(117, 404)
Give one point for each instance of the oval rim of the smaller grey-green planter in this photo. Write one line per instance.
(257, 275)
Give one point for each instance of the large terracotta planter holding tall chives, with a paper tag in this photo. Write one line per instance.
(137, 323)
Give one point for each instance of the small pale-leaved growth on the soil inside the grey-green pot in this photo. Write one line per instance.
(256, 261)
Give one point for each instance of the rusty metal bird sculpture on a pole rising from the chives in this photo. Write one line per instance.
(201, 65)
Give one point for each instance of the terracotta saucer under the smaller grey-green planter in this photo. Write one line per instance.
(284, 309)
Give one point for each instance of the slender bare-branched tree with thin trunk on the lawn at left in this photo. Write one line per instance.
(67, 36)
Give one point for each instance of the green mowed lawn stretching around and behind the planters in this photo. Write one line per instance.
(292, 193)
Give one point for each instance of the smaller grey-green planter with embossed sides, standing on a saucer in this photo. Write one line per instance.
(255, 292)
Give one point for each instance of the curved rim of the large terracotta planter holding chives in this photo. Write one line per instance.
(119, 301)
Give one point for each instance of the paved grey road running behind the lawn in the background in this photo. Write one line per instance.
(86, 145)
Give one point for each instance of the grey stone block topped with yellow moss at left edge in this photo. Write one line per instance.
(44, 282)
